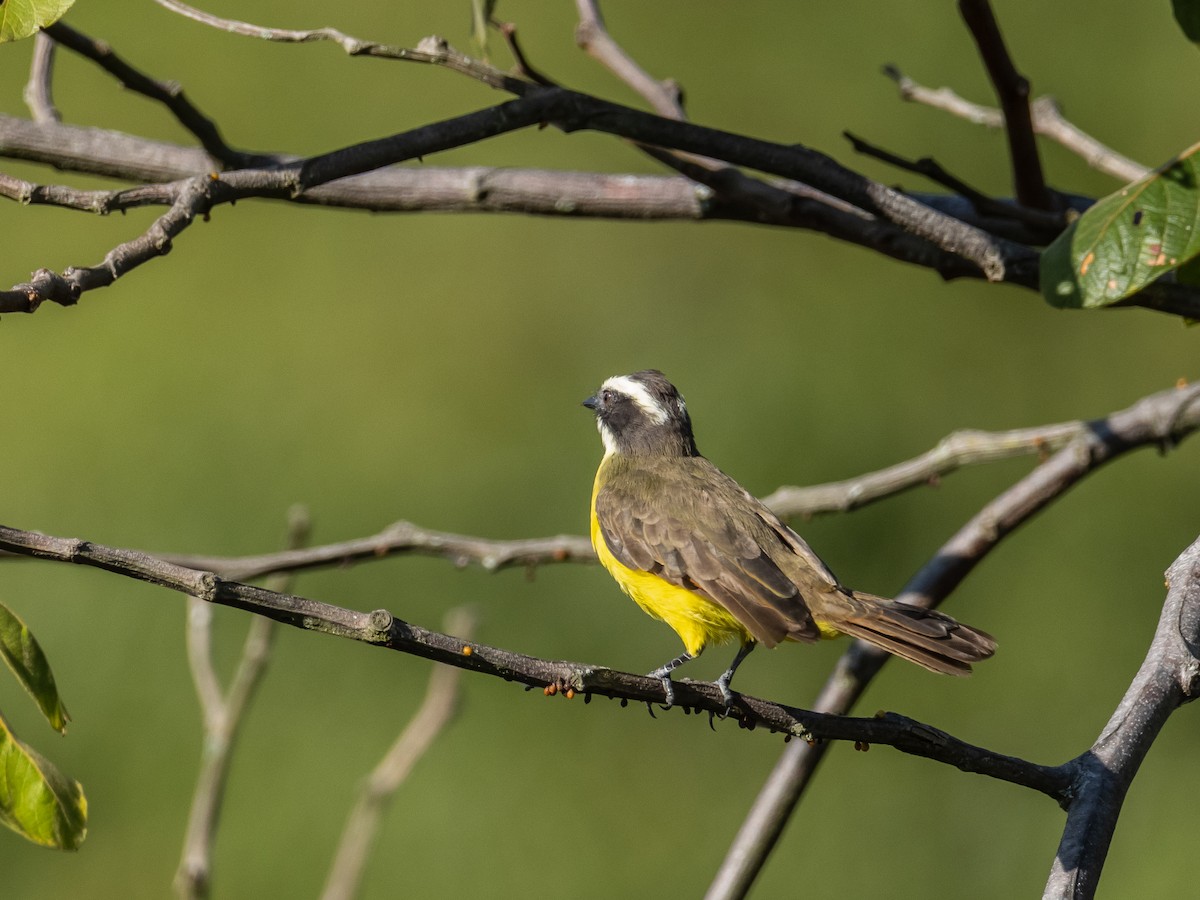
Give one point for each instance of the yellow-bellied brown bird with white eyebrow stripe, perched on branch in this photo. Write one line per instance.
(698, 551)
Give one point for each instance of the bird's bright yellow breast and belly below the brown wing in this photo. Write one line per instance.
(695, 619)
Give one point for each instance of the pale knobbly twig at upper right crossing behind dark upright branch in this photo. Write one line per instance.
(1047, 118)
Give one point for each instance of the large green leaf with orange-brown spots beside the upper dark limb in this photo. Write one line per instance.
(1129, 239)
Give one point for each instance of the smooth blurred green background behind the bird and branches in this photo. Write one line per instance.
(430, 368)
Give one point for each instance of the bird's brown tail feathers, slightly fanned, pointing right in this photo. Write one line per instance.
(928, 638)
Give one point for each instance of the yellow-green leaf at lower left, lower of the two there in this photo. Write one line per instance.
(37, 800)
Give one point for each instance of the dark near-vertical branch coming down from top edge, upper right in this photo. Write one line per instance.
(1013, 91)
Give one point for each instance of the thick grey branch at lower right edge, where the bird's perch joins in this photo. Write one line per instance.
(1168, 679)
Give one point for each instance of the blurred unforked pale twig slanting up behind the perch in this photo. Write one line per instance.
(436, 712)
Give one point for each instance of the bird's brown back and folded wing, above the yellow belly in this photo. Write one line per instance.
(693, 526)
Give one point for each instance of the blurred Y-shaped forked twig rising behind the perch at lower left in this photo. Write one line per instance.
(223, 715)
